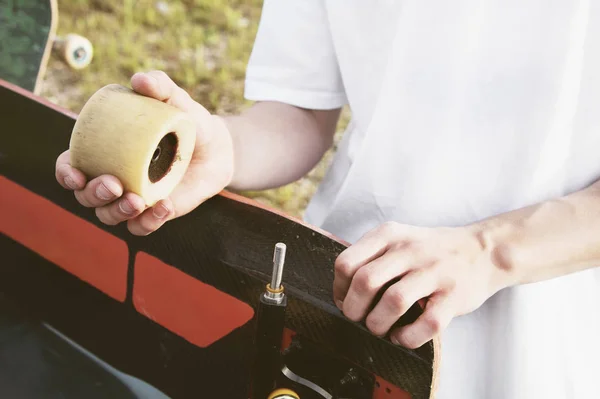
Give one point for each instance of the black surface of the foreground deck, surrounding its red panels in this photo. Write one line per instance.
(225, 243)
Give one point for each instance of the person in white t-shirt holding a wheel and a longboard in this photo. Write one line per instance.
(469, 169)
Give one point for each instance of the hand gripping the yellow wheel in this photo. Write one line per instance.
(209, 172)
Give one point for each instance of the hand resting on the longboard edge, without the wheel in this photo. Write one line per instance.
(452, 268)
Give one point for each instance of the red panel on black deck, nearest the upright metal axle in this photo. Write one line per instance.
(196, 311)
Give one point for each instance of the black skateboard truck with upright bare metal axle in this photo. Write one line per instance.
(272, 376)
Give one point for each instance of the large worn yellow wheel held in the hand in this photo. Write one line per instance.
(144, 142)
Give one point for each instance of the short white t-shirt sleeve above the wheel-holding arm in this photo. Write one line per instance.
(293, 59)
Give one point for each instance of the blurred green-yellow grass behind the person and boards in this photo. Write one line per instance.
(203, 45)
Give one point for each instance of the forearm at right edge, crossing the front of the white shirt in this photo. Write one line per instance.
(546, 240)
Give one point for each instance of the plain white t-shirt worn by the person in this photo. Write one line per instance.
(460, 110)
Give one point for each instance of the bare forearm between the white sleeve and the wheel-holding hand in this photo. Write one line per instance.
(275, 144)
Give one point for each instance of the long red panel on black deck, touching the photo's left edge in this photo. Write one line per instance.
(74, 244)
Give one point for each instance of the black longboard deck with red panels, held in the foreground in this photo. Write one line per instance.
(175, 308)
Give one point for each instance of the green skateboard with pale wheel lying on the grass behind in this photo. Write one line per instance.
(27, 37)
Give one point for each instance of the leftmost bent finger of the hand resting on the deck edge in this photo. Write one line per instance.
(368, 248)
